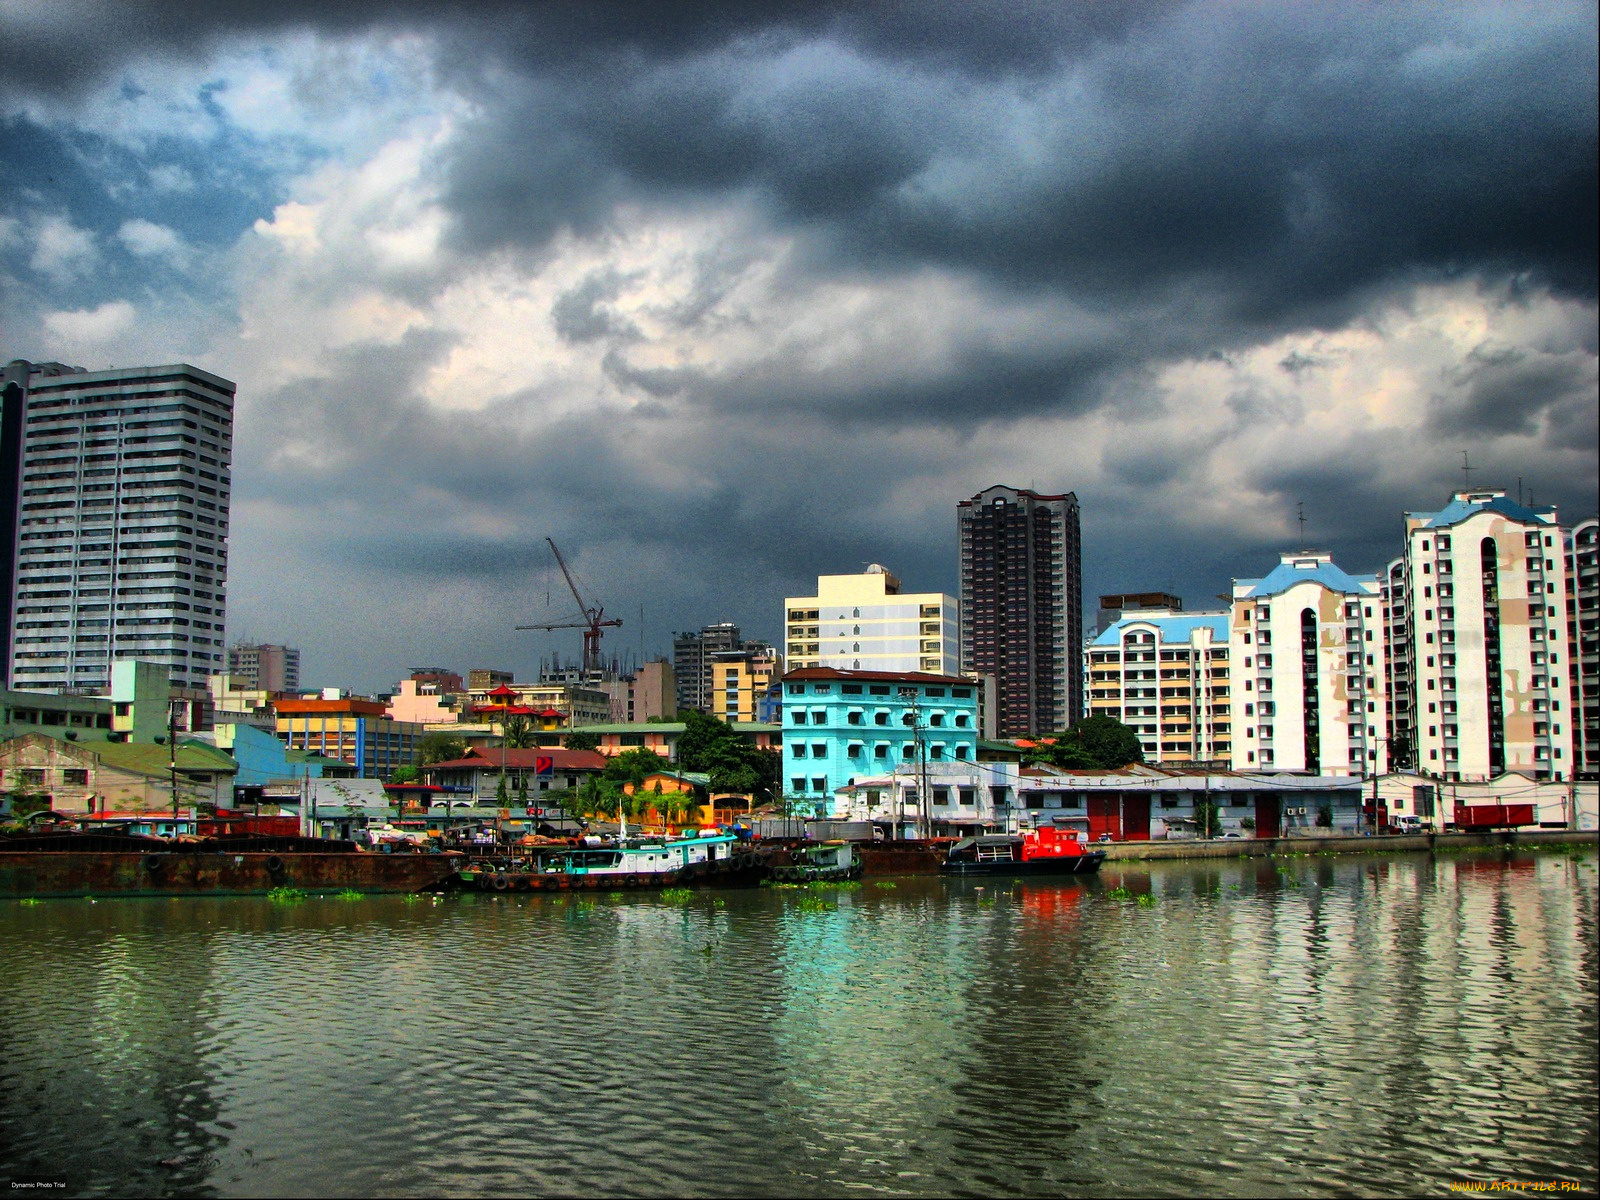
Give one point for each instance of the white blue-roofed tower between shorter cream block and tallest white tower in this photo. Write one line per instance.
(1310, 673)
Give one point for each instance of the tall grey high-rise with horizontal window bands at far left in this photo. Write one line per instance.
(118, 522)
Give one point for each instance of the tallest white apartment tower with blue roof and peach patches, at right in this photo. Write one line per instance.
(1486, 626)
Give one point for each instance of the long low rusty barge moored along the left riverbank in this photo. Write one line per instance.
(62, 865)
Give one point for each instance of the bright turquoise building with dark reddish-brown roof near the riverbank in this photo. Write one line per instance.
(844, 726)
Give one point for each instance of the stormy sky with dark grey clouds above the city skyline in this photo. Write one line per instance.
(724, 297)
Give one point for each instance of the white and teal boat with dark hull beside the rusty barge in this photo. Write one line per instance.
(695, 858)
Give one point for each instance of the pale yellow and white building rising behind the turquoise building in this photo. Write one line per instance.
(866, 623)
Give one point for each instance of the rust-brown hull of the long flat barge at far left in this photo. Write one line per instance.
(70, 873)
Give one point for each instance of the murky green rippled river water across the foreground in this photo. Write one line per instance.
(1313, 1026)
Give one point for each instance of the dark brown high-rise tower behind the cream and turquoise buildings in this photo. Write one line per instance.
(1023, 606)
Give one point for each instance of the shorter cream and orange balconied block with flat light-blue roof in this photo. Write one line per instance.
(1169, 678)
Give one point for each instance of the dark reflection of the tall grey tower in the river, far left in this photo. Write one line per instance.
(122, 1007)
